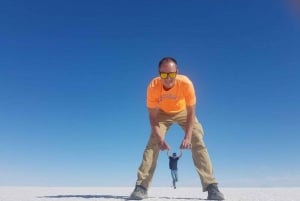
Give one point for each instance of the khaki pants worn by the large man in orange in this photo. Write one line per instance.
(200, 154)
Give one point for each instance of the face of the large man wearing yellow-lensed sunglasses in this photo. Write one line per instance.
(169, 68)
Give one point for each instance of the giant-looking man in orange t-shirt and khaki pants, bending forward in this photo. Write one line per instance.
(171, 99)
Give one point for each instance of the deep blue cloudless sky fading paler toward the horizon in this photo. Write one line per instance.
(73, 78)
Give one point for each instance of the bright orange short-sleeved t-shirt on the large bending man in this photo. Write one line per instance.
(173, 100)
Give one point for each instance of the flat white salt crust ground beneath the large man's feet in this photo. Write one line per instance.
(155, 194)
